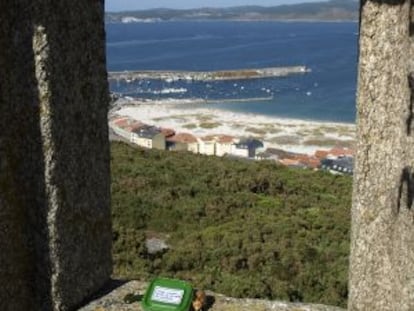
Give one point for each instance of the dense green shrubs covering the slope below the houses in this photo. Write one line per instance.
(238, 227)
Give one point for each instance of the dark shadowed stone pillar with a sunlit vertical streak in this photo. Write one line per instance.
(55, 228)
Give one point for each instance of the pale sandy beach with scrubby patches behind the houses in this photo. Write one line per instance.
(289, 134)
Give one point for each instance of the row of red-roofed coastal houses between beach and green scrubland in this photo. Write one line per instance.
(337, 160)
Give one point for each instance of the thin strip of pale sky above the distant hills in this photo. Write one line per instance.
(123, 5)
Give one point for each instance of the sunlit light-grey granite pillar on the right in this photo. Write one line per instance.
(382, 247)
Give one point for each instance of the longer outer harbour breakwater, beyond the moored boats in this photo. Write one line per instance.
(220, 75)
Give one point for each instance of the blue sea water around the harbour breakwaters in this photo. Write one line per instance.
(327, 93)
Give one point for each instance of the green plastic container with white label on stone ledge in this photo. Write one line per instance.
(167, 295)
